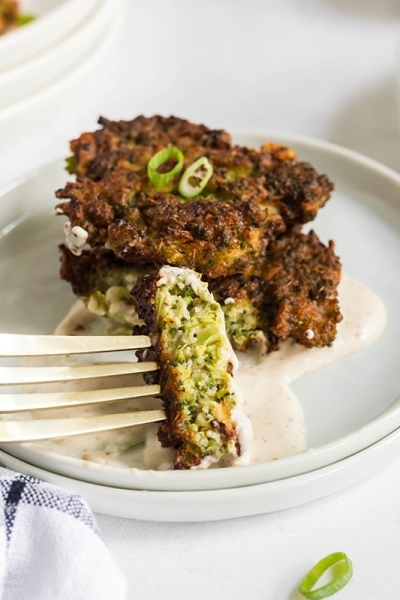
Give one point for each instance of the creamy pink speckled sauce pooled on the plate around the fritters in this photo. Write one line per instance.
(276, 414)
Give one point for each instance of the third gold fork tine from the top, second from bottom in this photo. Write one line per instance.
(28, 402)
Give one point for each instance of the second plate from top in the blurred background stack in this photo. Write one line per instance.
(31, 75)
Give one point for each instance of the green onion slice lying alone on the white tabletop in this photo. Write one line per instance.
(343, 574)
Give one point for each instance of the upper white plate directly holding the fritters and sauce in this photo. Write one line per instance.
(348, 407)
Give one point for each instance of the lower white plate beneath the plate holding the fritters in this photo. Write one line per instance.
(213, 505)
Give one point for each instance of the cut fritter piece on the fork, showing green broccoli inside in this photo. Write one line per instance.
(204, 419)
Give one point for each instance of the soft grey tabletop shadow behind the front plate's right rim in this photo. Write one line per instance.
(371, 125)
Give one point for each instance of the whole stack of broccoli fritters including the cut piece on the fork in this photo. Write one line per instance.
(242, 232)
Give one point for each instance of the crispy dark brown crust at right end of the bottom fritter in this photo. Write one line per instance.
(295, 290)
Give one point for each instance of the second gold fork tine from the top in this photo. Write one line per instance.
(22, 375)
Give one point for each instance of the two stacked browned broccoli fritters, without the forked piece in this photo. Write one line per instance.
(242, 232)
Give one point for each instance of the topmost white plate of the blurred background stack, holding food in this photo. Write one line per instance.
(54, 20)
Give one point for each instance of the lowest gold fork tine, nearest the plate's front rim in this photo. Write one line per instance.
(42, 429)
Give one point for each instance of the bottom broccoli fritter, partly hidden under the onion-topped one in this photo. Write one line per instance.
(292, 292)
